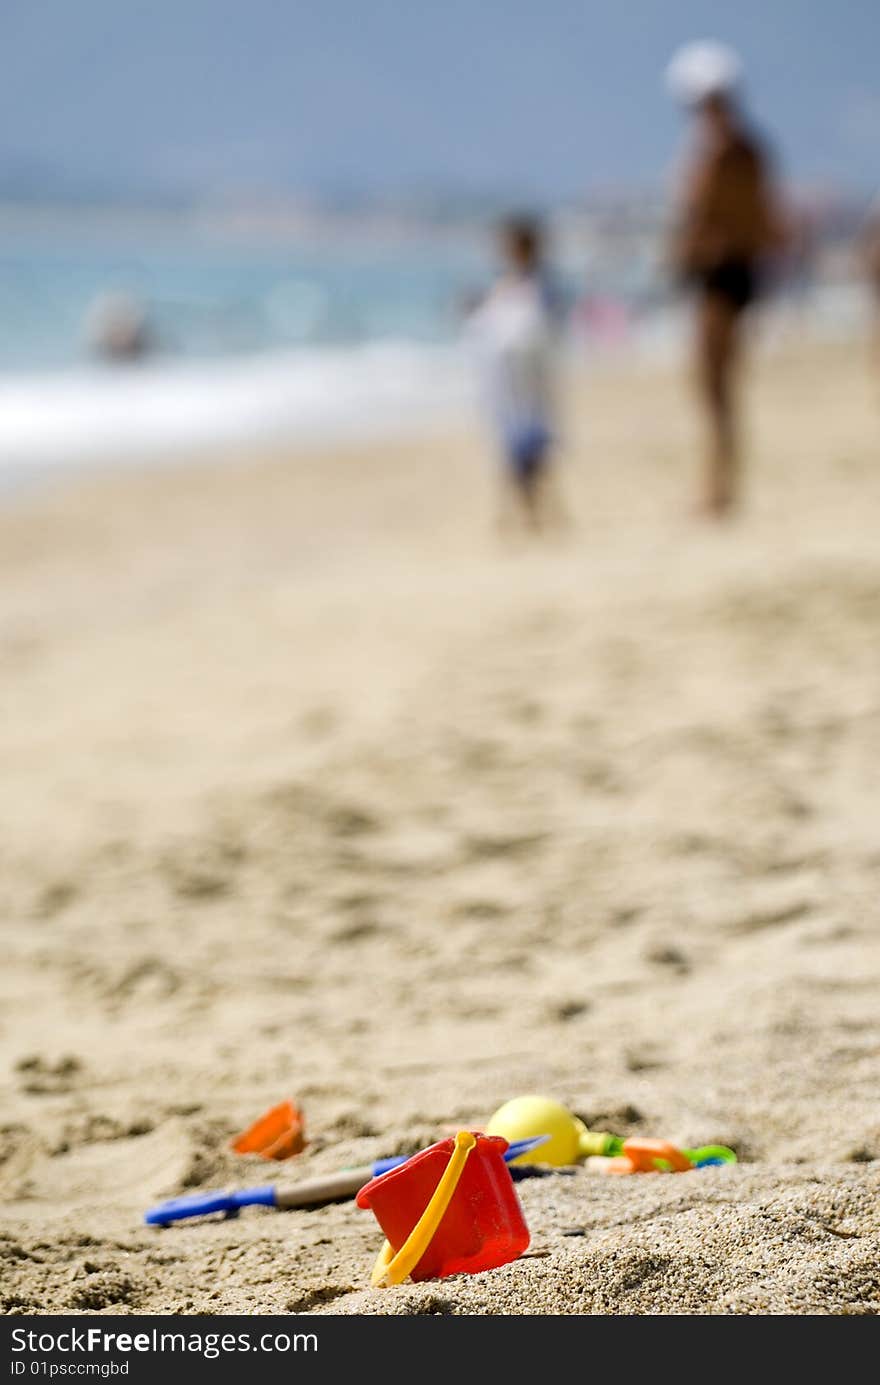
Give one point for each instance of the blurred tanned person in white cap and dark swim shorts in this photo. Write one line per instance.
(728, 226)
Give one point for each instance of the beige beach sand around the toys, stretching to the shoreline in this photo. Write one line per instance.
(310, 787)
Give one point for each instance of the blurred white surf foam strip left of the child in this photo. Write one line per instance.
(163, 411)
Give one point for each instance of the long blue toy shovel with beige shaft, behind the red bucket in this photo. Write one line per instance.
(329, 1188)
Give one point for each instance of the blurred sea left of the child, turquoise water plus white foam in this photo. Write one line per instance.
(252, 337)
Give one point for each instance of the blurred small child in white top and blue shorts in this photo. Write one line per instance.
(513, 332)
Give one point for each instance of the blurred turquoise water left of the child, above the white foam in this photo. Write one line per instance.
(210, 297)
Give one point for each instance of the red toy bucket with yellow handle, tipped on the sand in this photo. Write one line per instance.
(451, 1210)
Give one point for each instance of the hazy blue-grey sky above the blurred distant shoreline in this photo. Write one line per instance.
(541, 99)
